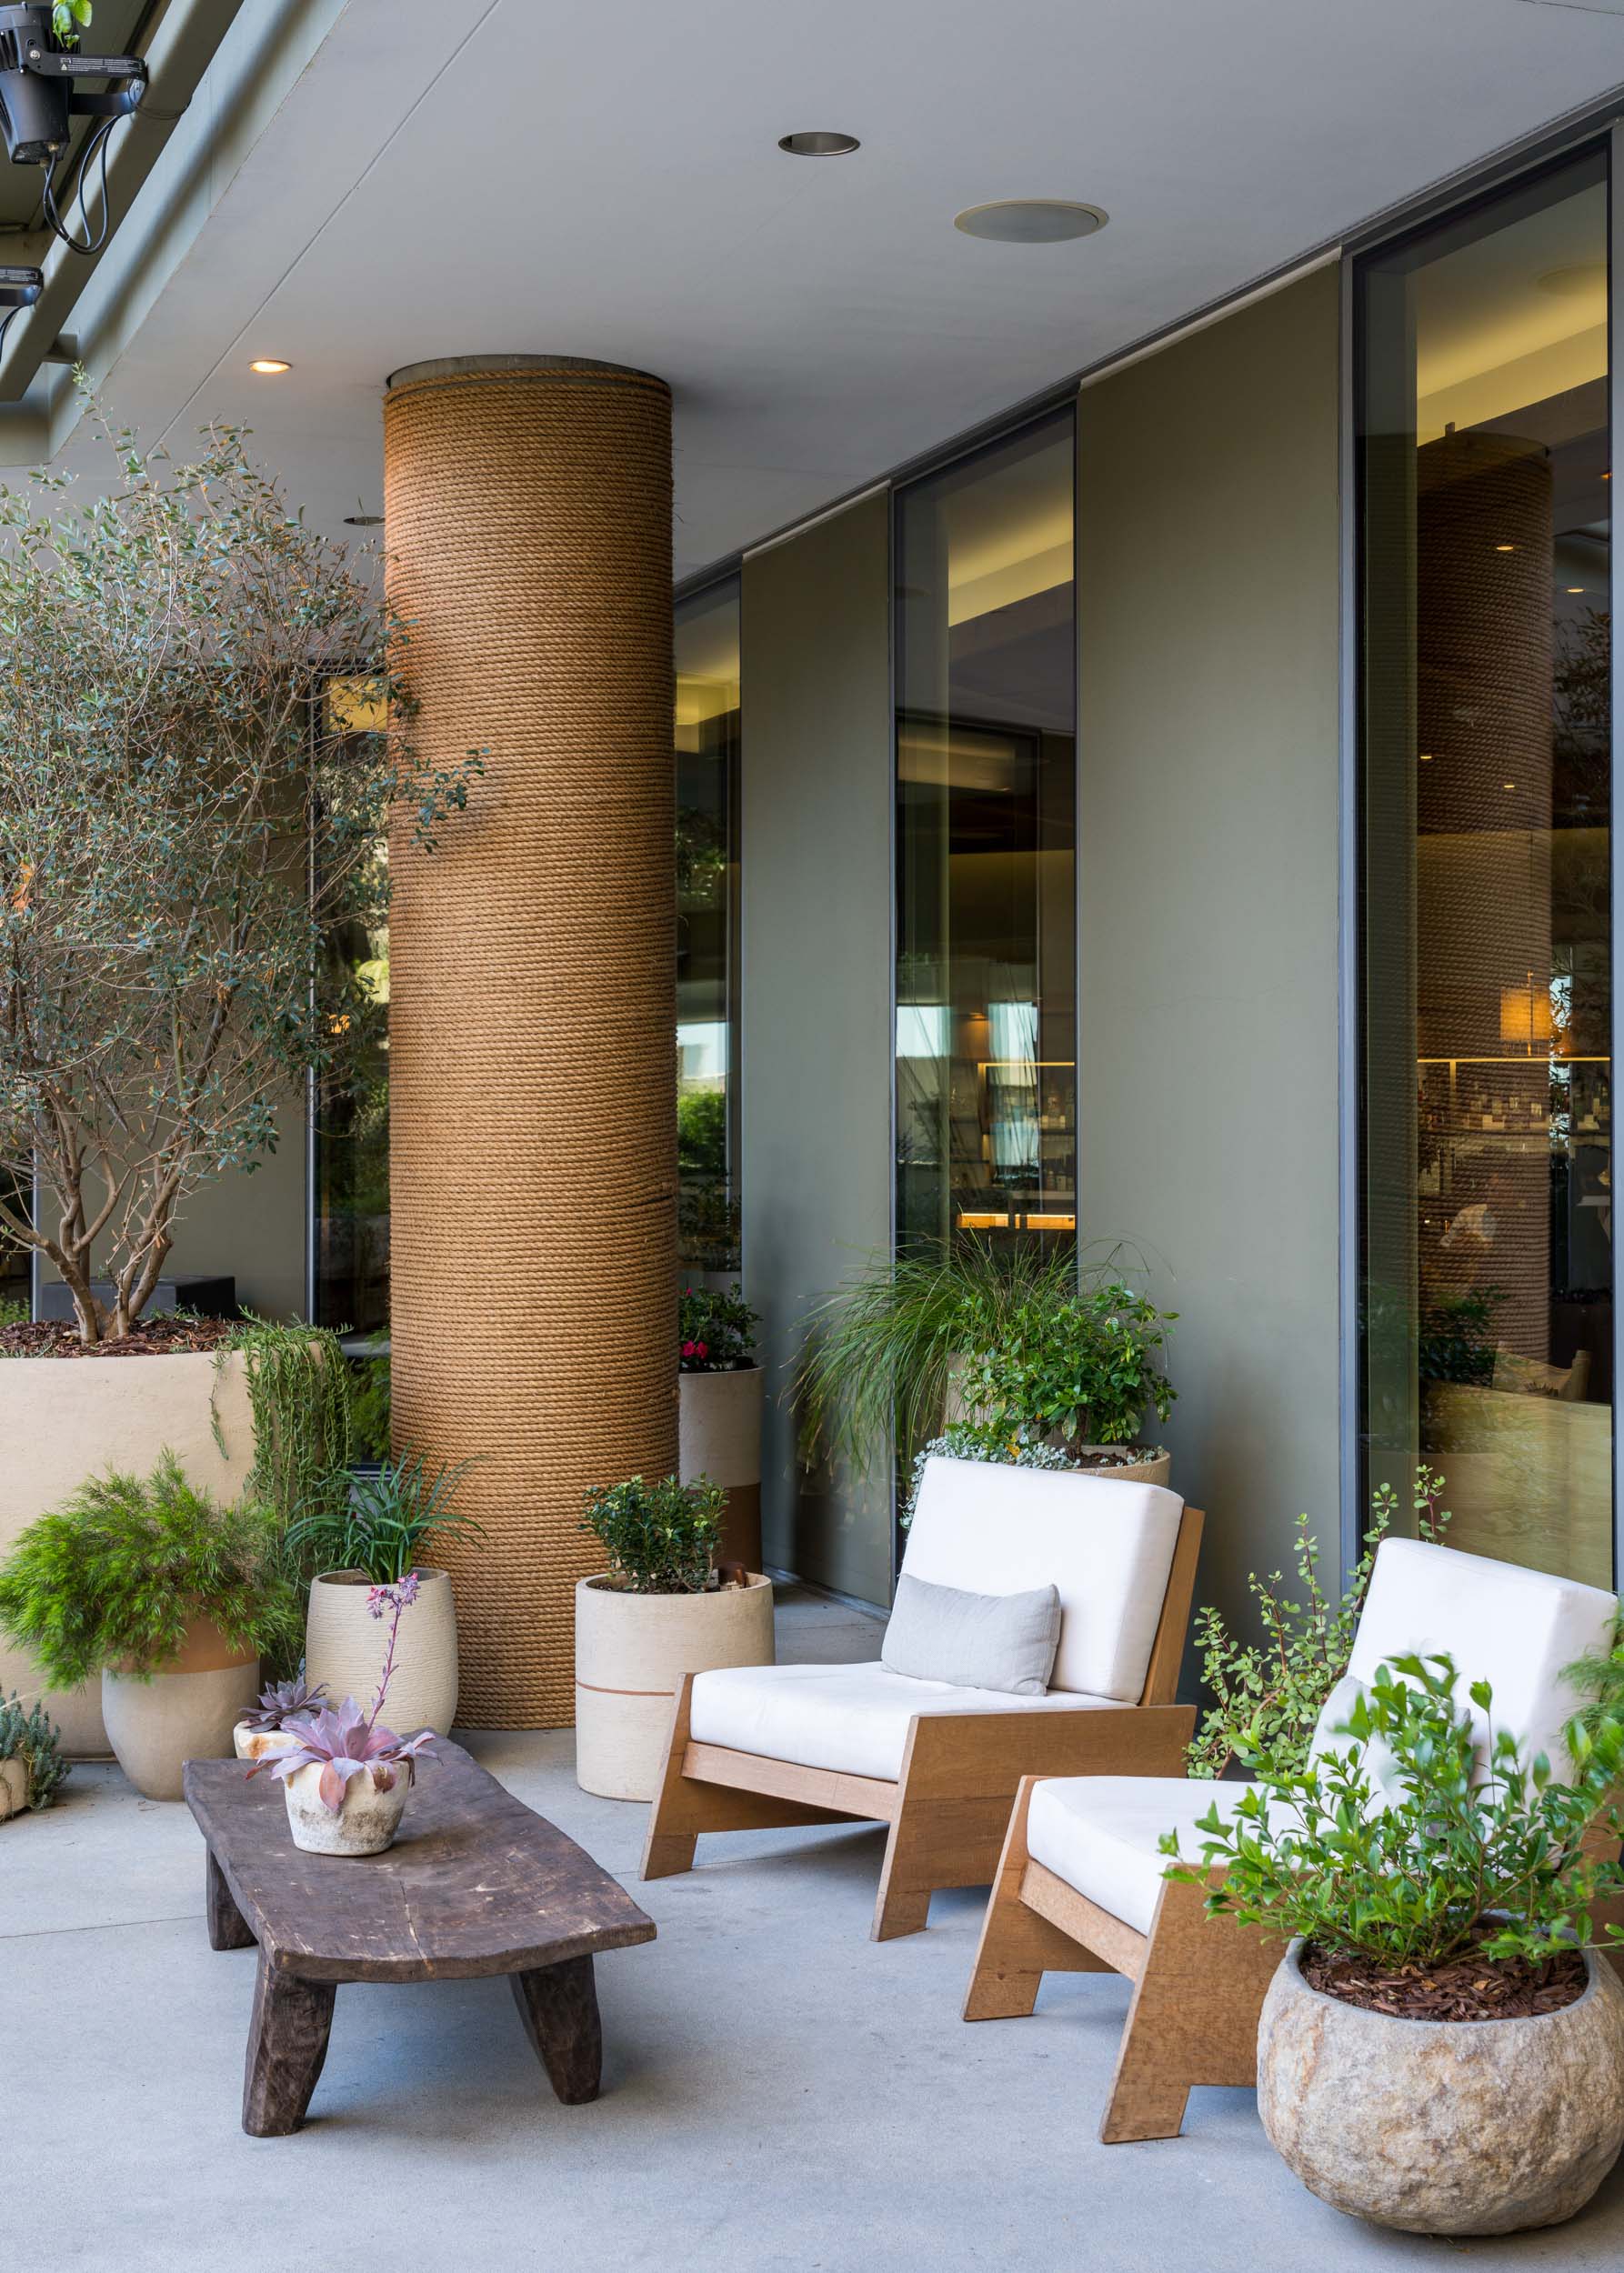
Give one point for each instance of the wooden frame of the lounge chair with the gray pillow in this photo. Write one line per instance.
(961, 1774)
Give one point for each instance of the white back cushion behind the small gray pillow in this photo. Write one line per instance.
(1107, 1549)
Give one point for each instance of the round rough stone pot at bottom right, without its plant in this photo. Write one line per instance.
(1445, 2126)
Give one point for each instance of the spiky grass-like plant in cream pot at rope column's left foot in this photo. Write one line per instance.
(376, 1531)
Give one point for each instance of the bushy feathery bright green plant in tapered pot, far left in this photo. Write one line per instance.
(167, 1597)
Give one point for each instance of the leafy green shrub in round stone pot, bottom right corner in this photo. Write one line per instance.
(1441, 2049)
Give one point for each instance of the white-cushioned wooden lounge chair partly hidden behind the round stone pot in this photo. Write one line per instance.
(1082, 1885)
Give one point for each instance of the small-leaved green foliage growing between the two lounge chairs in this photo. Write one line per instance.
(1268, 1695)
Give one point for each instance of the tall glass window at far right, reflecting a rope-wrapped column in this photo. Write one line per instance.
(1486, 869)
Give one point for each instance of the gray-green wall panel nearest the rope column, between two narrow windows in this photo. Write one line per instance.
(818, 990)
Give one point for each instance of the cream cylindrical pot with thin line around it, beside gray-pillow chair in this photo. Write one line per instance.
(631, 1654)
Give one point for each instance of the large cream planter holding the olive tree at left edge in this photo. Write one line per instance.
(65, 1419)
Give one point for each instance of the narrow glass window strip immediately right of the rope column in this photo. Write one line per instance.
(709, 929)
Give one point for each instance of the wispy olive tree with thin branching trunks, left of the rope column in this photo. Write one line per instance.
(185, 829)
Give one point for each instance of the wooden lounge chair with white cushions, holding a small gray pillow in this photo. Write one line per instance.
(825, 1745)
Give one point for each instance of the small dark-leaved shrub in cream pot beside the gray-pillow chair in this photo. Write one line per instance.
(649, 1620)
